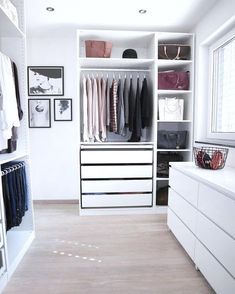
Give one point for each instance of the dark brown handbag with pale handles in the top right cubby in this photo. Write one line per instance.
(174, 52)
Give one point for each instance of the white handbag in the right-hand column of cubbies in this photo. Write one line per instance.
(171, 109)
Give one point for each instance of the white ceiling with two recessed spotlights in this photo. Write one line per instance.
(162, 15)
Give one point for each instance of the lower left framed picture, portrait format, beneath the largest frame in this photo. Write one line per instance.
(39, 113)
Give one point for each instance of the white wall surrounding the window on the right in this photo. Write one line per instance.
(223, 12)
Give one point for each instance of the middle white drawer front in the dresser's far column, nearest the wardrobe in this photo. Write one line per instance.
(186, 212)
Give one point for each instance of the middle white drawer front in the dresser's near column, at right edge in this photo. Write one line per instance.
(221, 245)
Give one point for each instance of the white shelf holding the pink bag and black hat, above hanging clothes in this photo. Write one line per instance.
(115, 63)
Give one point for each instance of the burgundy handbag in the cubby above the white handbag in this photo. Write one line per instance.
(173, 80)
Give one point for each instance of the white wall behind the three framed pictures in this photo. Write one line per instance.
(54, 150)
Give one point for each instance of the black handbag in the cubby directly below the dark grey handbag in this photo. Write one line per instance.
(163, 160)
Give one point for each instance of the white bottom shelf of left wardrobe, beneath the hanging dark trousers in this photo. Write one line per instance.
(18, 243)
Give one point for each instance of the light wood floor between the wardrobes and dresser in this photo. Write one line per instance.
(104, 254)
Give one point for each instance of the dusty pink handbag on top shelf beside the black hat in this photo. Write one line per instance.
(98, 49)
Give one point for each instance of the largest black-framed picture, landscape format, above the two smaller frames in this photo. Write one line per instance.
(45, 80)
